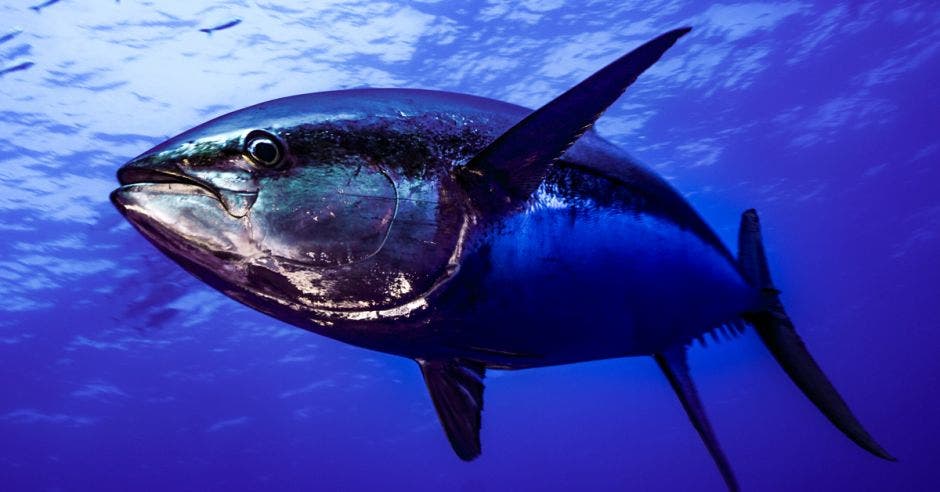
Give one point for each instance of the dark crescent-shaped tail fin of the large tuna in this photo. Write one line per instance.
(779, 336)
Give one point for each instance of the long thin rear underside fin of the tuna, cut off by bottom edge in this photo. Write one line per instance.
(674, 365)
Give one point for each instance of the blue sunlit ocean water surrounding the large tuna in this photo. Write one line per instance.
(119, 371)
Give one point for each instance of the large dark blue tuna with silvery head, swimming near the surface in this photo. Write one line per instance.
(466, 234)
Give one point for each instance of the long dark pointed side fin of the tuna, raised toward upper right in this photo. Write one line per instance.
(511, 168)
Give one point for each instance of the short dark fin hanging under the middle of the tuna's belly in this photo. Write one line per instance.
(456, 388)
